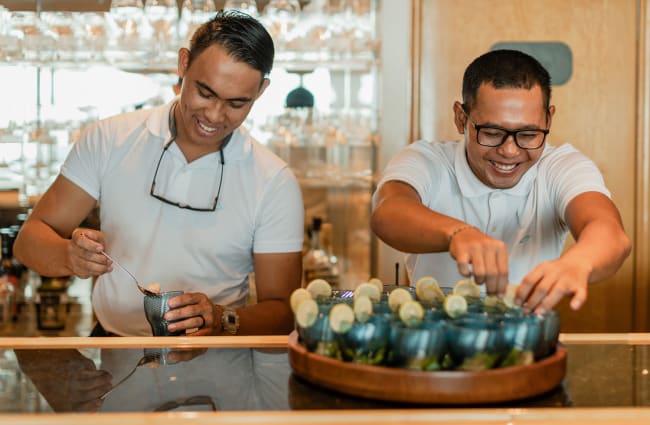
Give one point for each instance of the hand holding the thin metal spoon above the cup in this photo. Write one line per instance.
(84, 254)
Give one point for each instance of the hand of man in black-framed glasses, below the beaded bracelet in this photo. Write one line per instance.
(482, 256)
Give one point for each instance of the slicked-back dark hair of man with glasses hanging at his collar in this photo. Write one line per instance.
(242, 36)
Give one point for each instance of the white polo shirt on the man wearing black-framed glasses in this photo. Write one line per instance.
(529, 217)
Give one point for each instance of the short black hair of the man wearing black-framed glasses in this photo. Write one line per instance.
(505, 69)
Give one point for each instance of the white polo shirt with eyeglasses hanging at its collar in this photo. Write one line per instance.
(260, 210)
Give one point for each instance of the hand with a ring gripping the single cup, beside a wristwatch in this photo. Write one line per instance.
(194, 312)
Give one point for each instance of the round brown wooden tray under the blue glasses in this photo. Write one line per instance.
(439, 387)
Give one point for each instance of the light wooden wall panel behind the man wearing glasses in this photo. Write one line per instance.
(596, 108)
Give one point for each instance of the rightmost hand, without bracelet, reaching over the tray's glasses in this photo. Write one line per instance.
(551, 281)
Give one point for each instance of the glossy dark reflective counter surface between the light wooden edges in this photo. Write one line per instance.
(248, 379)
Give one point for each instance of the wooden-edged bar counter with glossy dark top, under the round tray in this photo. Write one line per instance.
(248, 380)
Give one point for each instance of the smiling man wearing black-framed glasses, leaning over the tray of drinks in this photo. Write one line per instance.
(498, 205)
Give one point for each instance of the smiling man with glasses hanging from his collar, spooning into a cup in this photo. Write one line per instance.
(188, 199)
